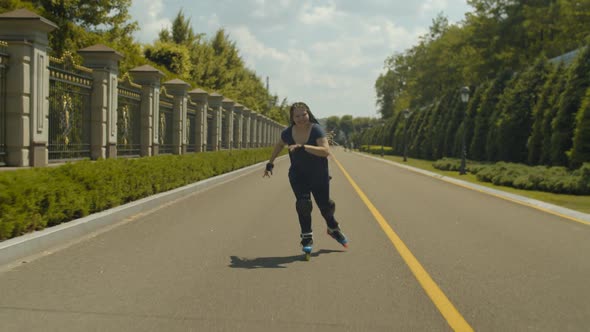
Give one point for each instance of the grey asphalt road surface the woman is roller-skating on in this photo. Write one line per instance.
(424, 255)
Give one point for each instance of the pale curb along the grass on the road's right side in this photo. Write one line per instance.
(573, 215)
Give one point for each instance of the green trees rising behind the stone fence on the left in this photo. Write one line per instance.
(212, 64)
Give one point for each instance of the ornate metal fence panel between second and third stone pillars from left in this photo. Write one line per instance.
(129, 118)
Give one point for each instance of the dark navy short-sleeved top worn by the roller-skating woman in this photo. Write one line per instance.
(302, 161)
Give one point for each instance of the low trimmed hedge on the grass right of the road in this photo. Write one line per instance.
(557, 180)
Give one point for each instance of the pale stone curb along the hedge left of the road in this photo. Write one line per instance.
(34, 243)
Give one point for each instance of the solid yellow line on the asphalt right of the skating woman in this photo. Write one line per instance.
(442, 302)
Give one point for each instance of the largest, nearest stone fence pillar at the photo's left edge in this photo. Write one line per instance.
(27, 88)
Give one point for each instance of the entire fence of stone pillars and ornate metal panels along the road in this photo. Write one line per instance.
(54, 110)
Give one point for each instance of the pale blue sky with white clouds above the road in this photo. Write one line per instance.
(326, 53)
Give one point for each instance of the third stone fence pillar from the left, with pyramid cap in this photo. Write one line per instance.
(149, 79)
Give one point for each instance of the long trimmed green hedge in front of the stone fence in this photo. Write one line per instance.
(33, 199)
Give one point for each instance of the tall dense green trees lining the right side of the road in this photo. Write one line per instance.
(523, 108)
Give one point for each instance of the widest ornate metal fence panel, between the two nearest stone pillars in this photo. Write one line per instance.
(69, 109)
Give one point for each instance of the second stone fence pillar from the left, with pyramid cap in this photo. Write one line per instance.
(104, 62)
